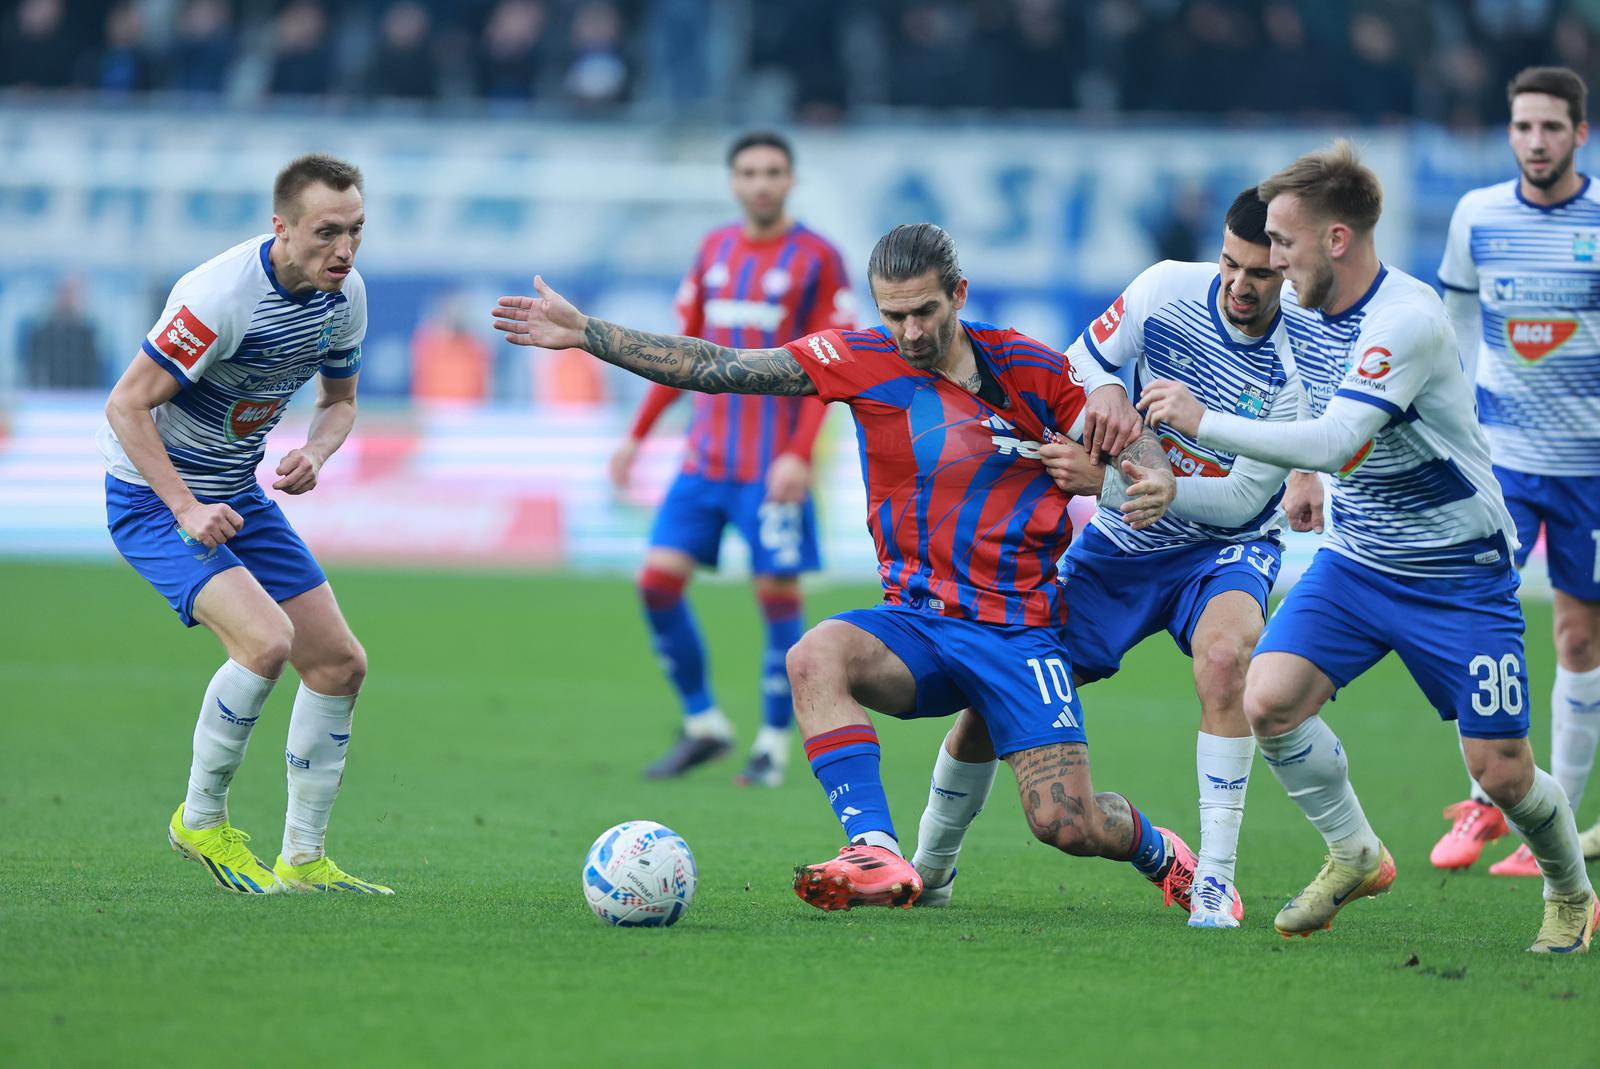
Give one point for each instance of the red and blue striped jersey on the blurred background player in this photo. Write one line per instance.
(754, 295)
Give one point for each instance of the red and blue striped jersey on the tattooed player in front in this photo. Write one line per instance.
(964, 516)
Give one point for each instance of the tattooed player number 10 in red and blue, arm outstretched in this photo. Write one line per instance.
(967, 524)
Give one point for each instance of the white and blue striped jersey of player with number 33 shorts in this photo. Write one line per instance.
(1169, 324)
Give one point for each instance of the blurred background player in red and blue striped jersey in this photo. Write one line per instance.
(754, 284)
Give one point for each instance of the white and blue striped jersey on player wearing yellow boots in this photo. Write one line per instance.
(239, 346)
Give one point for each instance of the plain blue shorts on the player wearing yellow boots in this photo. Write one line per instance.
(148, 539)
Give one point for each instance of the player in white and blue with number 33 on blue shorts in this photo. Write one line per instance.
(1202, 574)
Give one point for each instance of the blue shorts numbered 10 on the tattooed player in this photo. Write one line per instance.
(1018, 679)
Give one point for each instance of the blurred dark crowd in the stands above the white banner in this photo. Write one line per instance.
(1370, 62)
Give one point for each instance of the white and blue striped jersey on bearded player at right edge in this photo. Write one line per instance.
(1537, 274)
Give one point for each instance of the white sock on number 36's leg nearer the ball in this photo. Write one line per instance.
(1311, 766)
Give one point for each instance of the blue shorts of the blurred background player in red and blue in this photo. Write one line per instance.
(697, 510)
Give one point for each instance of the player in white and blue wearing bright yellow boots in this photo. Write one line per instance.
(185, 433)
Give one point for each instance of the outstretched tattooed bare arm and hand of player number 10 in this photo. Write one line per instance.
(551, 322)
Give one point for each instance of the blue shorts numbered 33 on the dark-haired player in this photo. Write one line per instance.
(1118, 599)
